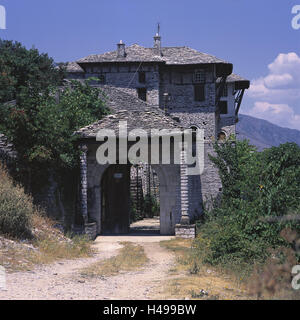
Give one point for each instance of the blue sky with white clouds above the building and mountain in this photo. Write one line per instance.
(256, 36)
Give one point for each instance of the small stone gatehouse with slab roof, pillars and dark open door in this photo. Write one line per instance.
(105, 188)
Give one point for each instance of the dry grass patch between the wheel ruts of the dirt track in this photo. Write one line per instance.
(130, 258)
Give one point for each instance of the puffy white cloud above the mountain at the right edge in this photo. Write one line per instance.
(277, 95)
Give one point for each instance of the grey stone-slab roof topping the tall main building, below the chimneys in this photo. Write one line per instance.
(170, 56)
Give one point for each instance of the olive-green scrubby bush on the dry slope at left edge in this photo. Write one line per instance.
(16, 208)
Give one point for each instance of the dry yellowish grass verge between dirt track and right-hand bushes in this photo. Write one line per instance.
(191, 279)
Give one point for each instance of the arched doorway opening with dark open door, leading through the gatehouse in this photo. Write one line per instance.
(130, 200)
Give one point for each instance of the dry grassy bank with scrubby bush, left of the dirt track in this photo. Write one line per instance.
(27, 236)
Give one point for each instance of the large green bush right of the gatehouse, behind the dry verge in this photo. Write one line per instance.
(259, 189)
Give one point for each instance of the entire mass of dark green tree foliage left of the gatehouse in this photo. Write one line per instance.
(41, 121)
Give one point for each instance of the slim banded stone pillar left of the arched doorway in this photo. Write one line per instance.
(83, 182)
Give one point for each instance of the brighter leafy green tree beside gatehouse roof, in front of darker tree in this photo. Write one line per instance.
(42, 128)
